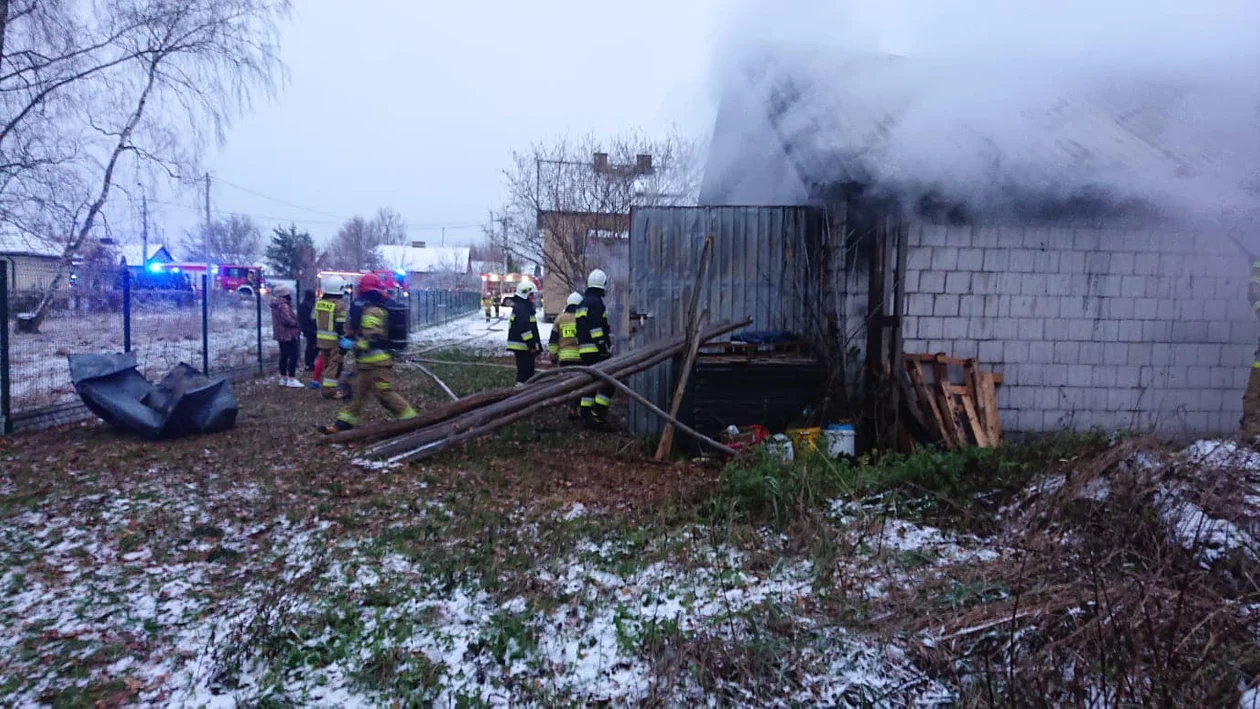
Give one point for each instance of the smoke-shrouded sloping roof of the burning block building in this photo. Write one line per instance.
(807, 118)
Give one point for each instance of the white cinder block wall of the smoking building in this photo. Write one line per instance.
(1092, 328)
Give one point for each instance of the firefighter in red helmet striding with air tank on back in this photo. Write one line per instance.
(374, 362)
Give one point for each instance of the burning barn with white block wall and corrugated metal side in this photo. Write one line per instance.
(1094, 310)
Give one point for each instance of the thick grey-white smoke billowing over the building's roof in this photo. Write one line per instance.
(1001, 104)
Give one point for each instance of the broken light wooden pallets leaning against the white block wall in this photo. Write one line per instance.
(957, 399)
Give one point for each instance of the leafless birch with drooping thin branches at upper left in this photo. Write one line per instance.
(89, 89)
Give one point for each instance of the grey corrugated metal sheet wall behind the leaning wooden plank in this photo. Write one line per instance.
(760, 269)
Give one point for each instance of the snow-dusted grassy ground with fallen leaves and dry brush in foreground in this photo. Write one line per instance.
(551, 567)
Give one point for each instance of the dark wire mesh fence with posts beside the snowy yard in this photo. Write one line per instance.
(108, 312)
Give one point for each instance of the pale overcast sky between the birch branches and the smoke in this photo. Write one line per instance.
(418, 105)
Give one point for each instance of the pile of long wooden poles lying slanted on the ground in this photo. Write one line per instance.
(478, 415)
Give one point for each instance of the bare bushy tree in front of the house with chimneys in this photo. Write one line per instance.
(561, 195)
